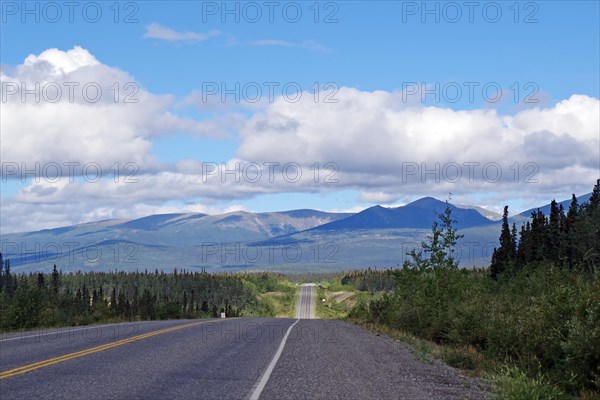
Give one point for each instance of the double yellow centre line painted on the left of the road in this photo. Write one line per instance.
(56, 360)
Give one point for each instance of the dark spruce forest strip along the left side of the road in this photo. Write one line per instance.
(26, 301)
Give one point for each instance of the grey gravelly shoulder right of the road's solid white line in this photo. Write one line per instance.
(328, 359)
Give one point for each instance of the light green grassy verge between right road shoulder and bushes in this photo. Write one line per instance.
(505, 379)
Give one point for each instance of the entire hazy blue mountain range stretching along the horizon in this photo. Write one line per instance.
(288, 241)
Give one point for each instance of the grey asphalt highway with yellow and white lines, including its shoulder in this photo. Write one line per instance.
(237, 358)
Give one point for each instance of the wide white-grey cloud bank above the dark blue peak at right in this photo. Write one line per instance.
(389, 148)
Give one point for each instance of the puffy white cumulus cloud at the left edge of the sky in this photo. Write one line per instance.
(66, 106)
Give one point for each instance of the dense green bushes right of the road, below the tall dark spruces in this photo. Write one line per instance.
(544, 320)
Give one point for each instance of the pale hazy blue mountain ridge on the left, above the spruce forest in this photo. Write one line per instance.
(163, 240)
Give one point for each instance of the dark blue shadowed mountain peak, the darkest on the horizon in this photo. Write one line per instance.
(419, 214)
